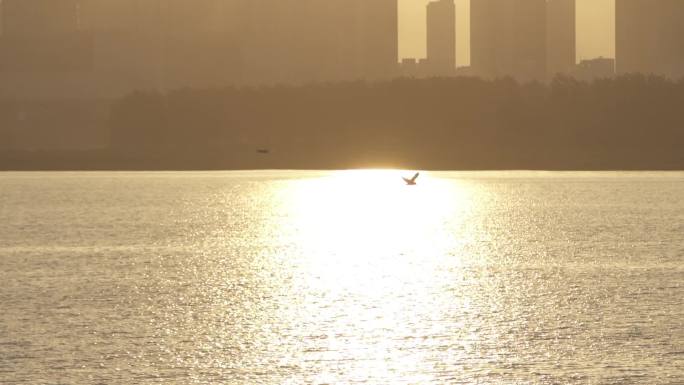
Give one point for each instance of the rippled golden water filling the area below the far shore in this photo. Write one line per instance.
(341, 278)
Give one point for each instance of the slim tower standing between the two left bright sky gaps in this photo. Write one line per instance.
(441, 37)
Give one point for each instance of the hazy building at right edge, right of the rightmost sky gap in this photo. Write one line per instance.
(649, 37)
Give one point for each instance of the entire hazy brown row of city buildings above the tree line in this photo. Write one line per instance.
(106, 48)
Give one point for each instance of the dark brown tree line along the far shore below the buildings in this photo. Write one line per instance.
(628, 122)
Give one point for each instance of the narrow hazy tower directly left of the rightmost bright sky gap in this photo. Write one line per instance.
(561, 36)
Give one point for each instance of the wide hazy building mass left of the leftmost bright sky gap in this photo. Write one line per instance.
(113, 47)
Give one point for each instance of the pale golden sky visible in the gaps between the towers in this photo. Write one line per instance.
(595, 29)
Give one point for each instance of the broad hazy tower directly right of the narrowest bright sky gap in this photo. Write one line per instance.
(508, 38)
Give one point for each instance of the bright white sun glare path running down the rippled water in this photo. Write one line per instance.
(371, 249)
